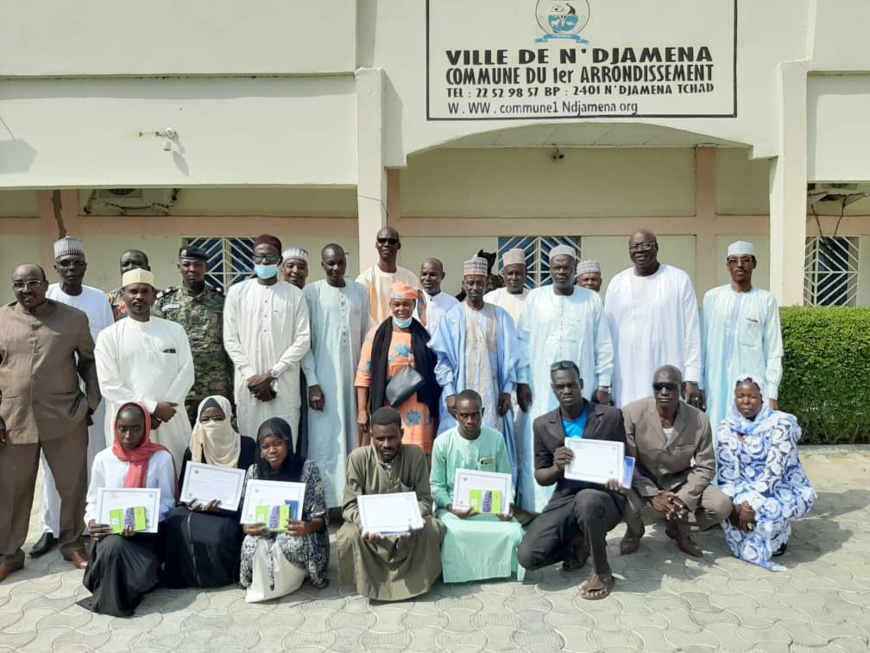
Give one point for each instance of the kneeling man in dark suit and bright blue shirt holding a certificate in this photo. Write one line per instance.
(575, 522)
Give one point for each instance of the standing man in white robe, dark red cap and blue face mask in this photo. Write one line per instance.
(266, 335)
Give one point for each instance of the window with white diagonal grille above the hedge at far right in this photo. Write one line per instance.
(831, 271)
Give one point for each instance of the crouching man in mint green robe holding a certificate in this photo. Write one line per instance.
(481, 541)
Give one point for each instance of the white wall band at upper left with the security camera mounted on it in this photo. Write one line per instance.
(85, 133)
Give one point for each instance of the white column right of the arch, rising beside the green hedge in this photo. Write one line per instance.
(788, 188)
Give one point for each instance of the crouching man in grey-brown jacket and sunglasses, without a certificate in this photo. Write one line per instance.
(675, 464)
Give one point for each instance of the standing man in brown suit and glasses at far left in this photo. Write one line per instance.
(45, 347)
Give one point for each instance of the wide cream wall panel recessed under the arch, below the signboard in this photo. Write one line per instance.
(529, 183)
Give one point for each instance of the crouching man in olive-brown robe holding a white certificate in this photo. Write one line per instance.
(396, 567)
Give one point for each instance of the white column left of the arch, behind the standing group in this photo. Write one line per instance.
(371, 192)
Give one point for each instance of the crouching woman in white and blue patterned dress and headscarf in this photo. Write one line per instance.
(759, 468)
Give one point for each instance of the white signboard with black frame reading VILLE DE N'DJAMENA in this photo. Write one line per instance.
(569, 59)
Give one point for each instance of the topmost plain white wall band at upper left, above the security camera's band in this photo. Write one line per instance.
(162, 37)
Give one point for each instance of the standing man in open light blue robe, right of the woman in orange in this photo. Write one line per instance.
(477, 348)
